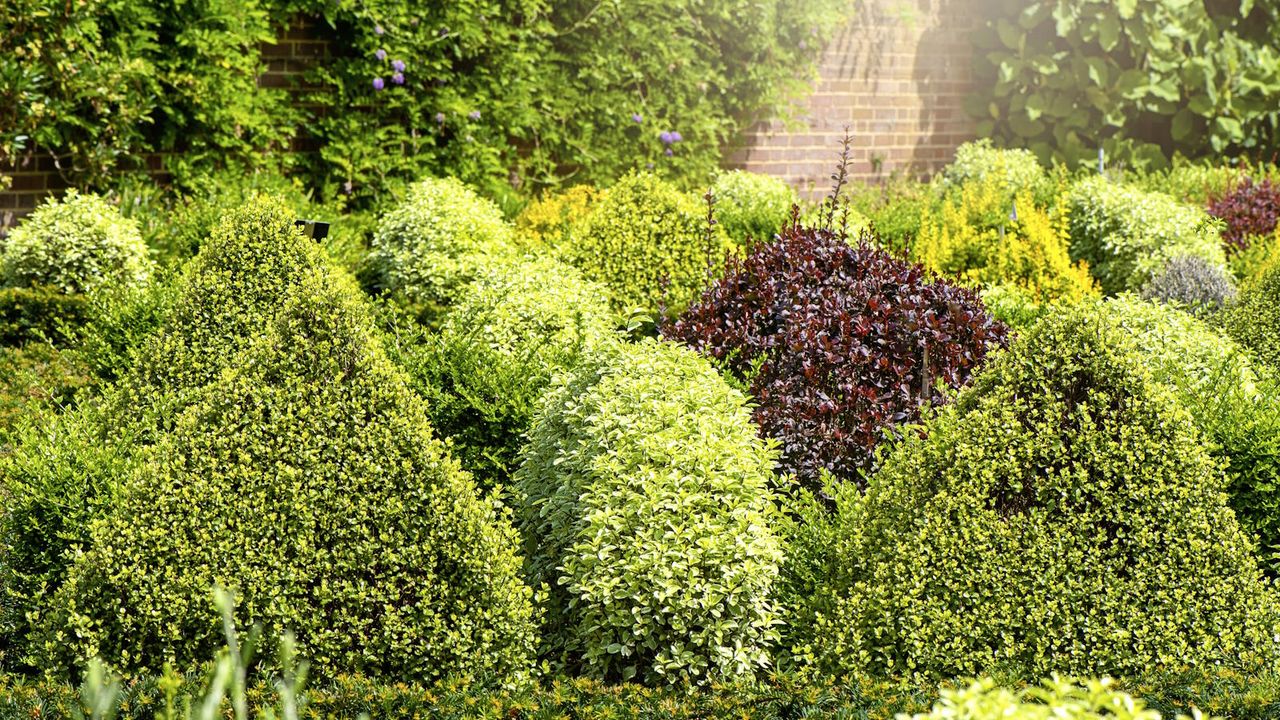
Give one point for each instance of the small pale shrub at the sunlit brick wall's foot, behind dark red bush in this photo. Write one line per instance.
(752, 206)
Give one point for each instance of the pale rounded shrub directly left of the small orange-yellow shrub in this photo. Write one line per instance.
(437, 240)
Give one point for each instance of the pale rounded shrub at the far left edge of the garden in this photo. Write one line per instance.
(76, 244)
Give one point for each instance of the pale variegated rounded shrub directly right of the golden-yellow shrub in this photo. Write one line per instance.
(1130, 235)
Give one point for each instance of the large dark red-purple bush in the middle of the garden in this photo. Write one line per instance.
(839, 344)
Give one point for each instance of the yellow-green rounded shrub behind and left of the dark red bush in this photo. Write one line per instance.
(648, 244)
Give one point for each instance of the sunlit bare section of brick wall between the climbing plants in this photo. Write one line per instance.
(897, 78)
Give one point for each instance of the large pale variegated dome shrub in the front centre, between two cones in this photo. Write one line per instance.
(647, 511)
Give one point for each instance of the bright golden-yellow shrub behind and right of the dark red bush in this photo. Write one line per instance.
(963, 239)
